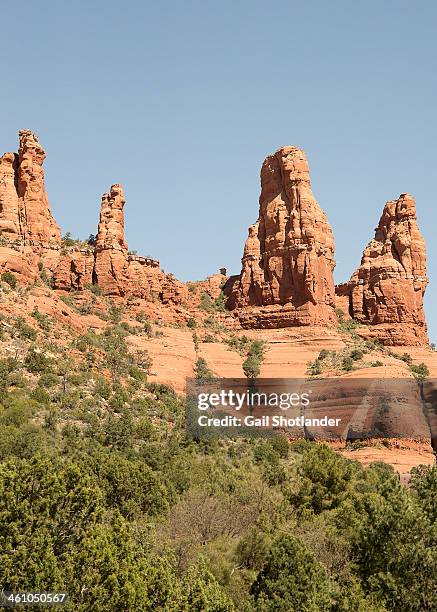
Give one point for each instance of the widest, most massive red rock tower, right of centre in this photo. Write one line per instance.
(286, 277)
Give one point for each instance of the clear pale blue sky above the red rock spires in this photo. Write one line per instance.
(181, 102)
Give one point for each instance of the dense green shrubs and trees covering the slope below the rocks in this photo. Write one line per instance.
(102, 495)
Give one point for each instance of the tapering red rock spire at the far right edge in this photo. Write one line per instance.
(387, 289)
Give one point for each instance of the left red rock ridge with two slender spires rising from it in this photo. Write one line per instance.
(31, 245)
